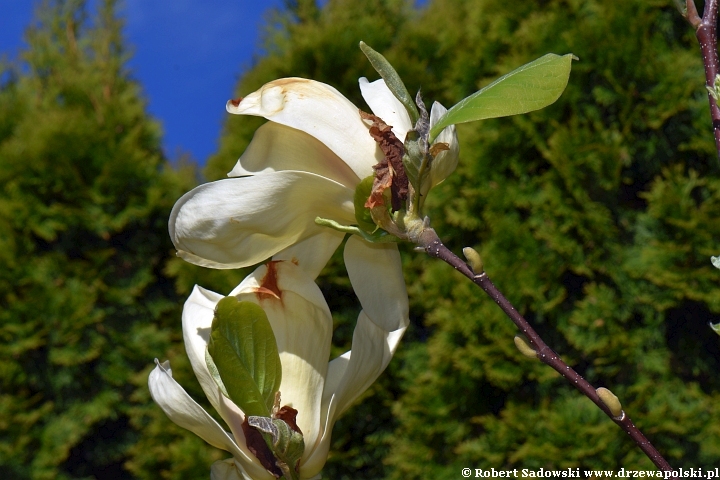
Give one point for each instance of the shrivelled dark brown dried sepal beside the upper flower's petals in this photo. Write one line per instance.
(389, 173)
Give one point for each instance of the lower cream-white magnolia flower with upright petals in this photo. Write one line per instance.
(300, 318)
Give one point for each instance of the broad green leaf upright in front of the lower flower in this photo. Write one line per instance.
(245, 355)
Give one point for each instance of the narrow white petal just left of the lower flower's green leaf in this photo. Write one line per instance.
(197, 317)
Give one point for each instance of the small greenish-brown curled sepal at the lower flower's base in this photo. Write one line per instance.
(286, 444)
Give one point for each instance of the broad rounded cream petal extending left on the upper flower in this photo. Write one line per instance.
(239, 222)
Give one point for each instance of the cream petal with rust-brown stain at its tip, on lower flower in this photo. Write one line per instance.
(302, 324)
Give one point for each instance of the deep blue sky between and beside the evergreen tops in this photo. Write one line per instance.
(187, 55)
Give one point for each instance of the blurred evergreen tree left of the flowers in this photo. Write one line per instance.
(88, 291)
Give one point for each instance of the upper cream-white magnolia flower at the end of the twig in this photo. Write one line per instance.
(306, 162)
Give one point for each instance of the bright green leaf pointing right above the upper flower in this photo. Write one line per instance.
(531, 87)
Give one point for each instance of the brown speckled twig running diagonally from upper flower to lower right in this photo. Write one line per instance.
(432, 245)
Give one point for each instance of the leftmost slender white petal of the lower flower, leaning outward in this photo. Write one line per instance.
(185, 412)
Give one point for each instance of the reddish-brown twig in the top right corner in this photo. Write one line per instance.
(706, 33)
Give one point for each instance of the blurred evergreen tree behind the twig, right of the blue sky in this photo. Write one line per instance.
(596, 216)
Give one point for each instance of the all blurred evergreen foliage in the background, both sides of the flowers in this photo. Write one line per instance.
(596, 217)
